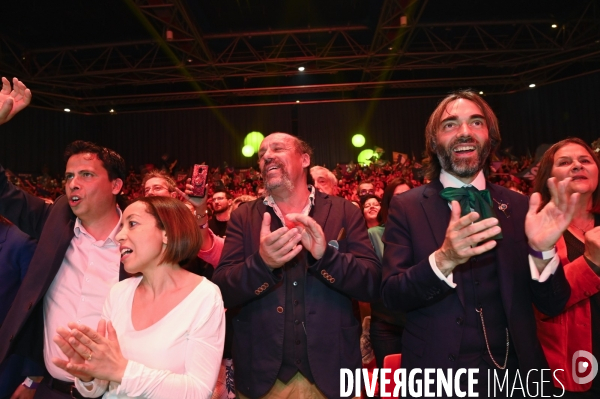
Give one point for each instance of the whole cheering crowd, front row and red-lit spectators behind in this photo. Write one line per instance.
(130, 286)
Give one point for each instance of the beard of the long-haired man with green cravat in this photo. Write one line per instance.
(463, 167)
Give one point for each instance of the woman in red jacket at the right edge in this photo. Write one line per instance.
(578, 326)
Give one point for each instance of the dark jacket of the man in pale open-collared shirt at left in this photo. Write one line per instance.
(22, 330)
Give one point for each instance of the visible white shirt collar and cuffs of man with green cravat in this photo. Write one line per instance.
(448, 180)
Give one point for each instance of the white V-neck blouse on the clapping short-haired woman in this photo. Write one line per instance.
(177, 357)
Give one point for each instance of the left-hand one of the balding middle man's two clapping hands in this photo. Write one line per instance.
(280, 246)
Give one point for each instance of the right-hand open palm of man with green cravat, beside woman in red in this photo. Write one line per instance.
(544, 227)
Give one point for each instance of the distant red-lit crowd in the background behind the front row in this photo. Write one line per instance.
(238, 183)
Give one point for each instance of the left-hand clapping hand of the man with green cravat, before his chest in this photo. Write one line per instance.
(462, 237)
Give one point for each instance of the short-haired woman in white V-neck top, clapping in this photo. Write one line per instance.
(162, 332)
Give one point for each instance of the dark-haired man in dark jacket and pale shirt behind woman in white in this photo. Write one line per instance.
(76, 261)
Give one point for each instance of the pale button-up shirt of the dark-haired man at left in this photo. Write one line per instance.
(88, 271)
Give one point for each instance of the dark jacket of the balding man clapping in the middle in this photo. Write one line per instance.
(332, 330)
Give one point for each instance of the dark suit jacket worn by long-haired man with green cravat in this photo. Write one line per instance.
(415, 228)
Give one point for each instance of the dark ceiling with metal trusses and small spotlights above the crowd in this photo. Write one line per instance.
(145, 55)
